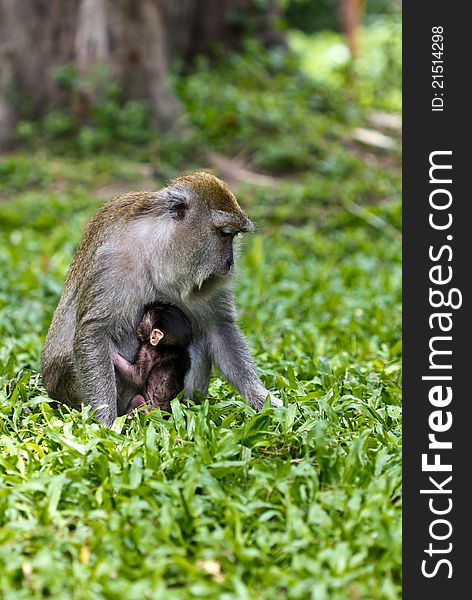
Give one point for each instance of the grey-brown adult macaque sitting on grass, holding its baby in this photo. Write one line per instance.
(173, 246)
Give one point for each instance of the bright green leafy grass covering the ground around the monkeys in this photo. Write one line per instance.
(216, 501)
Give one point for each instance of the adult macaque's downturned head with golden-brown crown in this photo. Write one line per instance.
(207, 218)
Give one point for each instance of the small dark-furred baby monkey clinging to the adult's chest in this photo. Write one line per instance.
(162, 361)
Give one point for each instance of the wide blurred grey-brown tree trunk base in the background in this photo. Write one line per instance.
(135, 38)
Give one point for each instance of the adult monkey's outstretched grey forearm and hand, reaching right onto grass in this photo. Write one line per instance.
(231, 355)
